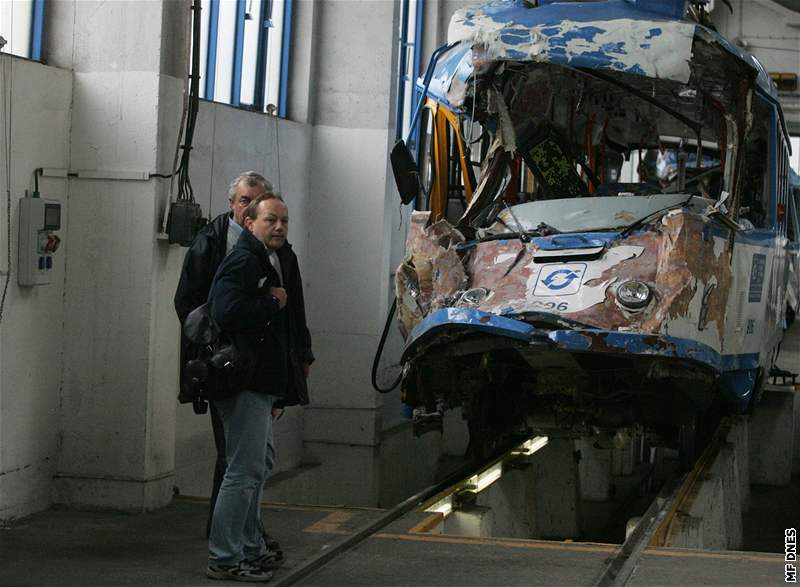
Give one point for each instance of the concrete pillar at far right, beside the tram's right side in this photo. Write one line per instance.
(771, 437)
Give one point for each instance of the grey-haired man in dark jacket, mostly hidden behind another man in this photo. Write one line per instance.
(202, 260)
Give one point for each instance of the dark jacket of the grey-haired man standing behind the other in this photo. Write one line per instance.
(199, 267)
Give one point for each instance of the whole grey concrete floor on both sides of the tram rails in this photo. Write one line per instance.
(70, 548)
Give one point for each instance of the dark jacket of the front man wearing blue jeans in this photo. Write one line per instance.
(273, 343)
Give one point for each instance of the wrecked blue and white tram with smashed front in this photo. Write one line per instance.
(599, 238)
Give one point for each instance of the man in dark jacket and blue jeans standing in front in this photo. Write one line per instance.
(256, 299)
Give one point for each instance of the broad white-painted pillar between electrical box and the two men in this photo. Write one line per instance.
(120, 376)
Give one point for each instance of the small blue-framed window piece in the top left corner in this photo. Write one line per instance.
(21, 25)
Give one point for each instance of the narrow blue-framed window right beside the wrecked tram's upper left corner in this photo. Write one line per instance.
(411, 22)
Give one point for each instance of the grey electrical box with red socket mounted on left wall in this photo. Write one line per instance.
(38, 221)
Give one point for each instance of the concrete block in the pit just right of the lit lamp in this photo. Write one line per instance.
(556, 491)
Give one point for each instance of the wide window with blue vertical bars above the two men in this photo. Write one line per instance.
(244, 53)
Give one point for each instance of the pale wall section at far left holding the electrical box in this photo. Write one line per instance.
(31, 330)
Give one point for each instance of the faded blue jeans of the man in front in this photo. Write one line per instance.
(249, 451)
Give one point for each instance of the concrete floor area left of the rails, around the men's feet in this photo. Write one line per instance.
(166, 547)
